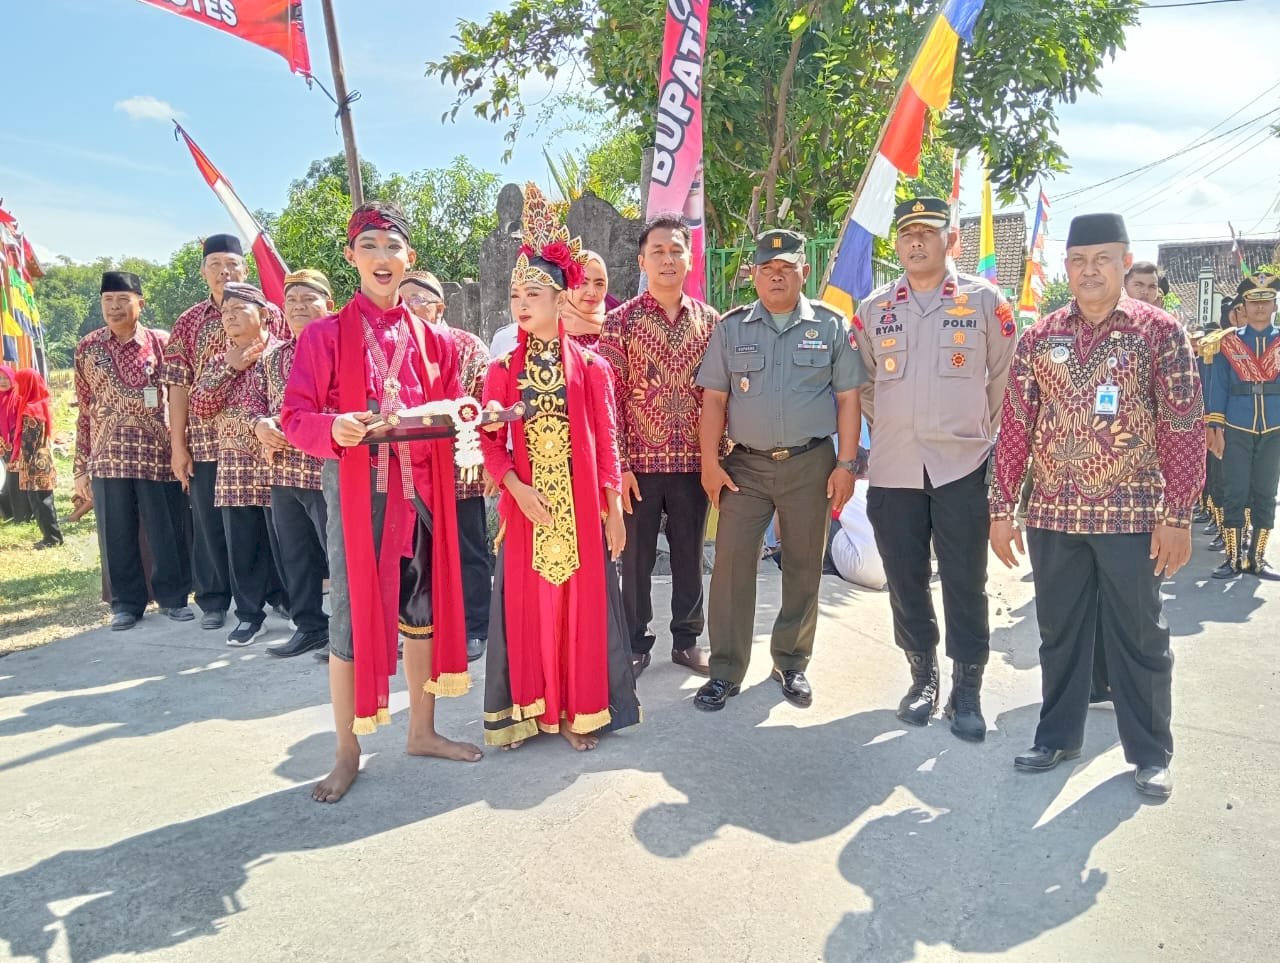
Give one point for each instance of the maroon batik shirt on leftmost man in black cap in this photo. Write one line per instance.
(121, 431)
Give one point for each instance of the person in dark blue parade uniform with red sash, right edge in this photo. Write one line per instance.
(1244, 414)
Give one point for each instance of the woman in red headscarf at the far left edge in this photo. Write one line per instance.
(29, 432)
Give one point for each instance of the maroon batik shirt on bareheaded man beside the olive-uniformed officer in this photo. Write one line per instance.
(655, 364)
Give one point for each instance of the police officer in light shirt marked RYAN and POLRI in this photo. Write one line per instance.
(938, 346)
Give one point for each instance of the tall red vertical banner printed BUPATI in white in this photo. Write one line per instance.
(676, 184)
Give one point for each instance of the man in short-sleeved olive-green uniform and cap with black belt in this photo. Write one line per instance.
(784, 375)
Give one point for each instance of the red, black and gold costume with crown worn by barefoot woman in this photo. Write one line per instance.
(559, 652)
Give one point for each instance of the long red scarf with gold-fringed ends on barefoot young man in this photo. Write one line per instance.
(376, 601)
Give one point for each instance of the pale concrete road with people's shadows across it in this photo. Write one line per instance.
(154, 802)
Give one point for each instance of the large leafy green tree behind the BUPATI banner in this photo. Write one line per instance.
(796, 93)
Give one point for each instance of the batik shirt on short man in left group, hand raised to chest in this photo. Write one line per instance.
(225, 398)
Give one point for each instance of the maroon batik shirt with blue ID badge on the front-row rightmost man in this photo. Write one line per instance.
(1096, 472)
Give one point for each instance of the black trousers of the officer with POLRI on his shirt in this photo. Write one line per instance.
(957, 519)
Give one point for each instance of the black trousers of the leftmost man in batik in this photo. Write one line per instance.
(121, 505)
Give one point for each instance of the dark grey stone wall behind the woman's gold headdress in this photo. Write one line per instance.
(482, 305)
